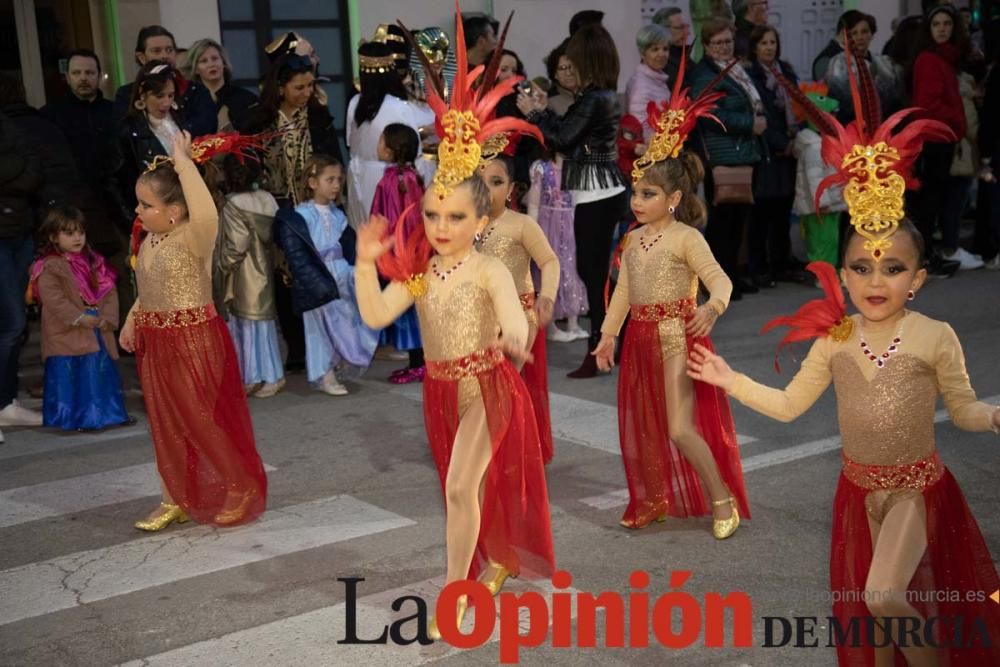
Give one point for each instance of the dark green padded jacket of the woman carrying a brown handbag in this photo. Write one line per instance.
(735, 144)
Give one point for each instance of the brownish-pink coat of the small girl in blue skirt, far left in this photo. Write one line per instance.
(62, 305)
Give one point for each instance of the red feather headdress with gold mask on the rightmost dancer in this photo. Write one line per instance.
(873, 162)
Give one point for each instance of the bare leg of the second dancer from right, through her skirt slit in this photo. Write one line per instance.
(680, 415)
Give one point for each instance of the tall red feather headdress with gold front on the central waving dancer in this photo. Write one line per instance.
(466, 125)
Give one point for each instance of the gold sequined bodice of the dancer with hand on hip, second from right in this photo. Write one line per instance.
(657, 275)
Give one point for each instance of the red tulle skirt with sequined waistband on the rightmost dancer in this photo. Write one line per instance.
(952, 582)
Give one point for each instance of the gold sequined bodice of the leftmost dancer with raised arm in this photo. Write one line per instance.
(170, 276)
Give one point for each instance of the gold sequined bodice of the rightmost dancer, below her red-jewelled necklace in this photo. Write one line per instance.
(888, 420)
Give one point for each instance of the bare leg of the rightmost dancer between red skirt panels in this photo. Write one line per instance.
(899, 545)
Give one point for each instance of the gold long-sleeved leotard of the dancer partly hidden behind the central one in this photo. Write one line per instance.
(516, 239)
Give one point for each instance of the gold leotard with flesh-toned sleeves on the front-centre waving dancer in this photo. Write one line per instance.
(459, 315)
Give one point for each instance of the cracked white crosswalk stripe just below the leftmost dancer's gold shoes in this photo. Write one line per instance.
(67, 581)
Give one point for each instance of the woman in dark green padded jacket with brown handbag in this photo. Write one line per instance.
(730, 153)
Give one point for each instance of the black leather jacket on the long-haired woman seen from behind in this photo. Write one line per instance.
(587, 135)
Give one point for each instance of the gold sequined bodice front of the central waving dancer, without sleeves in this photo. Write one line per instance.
(456, 322)
